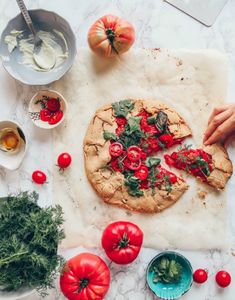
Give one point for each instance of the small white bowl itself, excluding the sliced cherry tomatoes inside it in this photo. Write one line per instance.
(35, 106)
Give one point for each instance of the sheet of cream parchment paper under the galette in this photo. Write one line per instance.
(192, 82)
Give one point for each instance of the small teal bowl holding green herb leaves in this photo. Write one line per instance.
(169, 275)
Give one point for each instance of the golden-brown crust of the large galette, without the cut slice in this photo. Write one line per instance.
(110, 185)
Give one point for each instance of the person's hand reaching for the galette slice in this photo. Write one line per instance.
(221, 124)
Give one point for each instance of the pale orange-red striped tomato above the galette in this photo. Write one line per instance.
(111, 35)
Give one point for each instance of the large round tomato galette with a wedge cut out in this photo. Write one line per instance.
(120, 148)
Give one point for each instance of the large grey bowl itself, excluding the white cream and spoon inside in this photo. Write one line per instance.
(43, 20)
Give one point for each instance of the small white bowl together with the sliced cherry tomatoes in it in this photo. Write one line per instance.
(47, 109)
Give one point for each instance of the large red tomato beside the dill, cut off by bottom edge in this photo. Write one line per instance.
(85, 277)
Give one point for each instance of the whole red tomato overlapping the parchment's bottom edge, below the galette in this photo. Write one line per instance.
(122, 241)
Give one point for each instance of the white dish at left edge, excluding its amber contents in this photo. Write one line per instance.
(12, 161)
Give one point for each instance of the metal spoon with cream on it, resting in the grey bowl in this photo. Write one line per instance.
(38, 42)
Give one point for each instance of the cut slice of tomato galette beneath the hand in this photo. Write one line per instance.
(210, 164)
